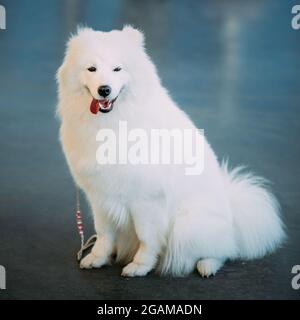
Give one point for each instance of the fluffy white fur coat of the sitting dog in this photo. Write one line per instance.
(153, 216)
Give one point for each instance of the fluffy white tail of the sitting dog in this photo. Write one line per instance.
(256, 214)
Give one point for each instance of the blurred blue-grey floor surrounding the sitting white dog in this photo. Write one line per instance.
(234, 68)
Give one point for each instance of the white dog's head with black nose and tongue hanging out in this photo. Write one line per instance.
(98, 64)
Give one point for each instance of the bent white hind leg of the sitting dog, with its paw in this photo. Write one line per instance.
(202, 237)
